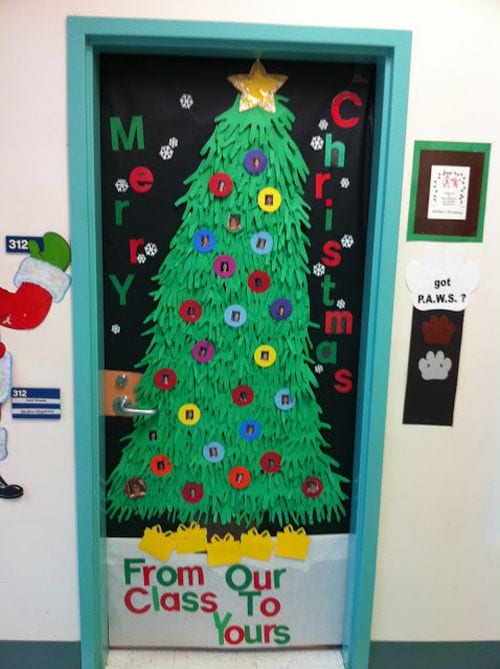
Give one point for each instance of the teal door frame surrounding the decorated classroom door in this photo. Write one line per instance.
(390, 51)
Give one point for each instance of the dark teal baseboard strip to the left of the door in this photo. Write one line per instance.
(40, 654)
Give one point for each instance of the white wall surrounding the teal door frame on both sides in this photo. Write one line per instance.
(438, 575)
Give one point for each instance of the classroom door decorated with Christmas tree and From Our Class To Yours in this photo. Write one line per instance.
(234, 211)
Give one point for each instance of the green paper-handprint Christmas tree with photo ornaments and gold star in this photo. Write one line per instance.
(237, 433)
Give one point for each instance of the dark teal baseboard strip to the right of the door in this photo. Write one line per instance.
(434, 655)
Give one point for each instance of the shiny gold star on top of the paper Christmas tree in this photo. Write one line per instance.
(257, 88)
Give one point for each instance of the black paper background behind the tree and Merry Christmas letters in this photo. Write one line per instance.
(150, 86)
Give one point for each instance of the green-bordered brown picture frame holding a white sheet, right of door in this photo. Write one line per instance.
(448, 191)
